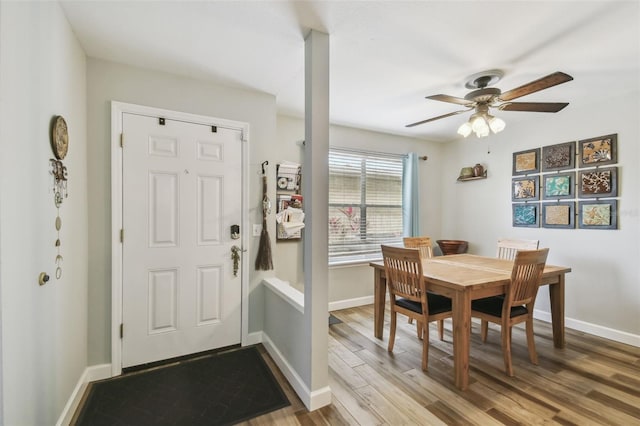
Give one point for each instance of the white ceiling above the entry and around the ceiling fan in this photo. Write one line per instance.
(386, 56)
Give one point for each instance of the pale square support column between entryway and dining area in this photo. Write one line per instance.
(315, 182)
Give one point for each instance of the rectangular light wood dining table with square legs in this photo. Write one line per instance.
(466, 277)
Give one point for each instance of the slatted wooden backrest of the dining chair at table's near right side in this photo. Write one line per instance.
(526, 275)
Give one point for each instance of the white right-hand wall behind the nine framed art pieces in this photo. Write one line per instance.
(602, 291)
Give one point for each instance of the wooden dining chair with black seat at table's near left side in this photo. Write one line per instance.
(408, 295)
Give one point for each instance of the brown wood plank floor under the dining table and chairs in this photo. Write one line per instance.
(593, 381)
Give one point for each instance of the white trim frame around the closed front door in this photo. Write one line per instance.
(117, 109)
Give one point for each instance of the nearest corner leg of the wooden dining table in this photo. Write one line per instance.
(461, 336)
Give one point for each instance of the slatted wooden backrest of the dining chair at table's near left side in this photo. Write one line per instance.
(403, 269)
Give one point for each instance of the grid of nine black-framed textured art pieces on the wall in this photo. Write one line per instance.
(550, 174)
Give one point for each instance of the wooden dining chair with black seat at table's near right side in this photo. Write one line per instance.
(516, 305)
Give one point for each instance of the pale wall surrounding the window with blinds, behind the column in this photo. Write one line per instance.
(355, 282)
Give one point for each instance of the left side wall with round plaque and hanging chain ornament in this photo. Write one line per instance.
(44, 334)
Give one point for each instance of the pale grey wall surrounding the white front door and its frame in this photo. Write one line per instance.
(109, 81)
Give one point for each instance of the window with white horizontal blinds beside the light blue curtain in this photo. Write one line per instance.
(365, 204)
